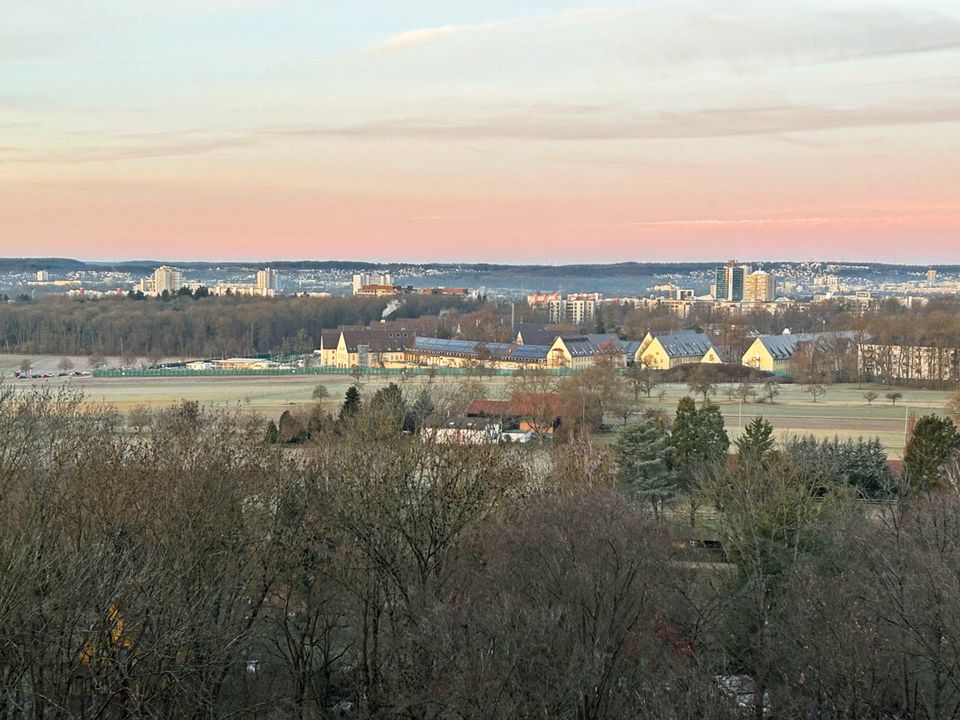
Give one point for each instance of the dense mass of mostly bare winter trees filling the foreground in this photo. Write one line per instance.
(188, 568)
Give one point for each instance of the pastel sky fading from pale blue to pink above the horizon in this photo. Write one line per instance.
(504, 131)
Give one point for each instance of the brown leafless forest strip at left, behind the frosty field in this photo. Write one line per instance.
(182, 326)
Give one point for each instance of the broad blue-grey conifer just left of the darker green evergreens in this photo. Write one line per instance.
(642, 452)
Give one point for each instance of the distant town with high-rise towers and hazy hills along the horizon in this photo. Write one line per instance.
(567, 290)
